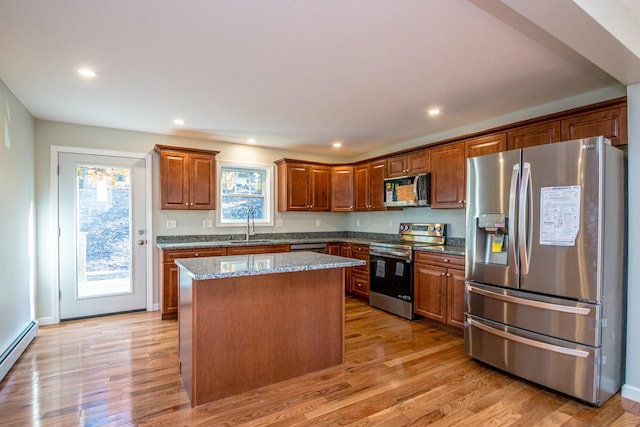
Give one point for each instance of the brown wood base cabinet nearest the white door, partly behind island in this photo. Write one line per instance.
(169, 276)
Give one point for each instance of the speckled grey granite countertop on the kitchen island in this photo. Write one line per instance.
(250, 265)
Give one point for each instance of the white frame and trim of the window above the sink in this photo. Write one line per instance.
(269, 187)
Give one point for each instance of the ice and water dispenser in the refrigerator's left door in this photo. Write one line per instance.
(492, 239)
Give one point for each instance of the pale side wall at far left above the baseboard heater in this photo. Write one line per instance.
(16, 216)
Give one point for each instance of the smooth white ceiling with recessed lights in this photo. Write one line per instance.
(296, 74)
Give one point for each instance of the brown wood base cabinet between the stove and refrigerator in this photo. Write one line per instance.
(439, 287)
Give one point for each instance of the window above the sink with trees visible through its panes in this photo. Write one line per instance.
(242, 188)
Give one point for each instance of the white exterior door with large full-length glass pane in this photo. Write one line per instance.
(101, 216)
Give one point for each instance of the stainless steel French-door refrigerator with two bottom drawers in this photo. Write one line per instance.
(544, 265)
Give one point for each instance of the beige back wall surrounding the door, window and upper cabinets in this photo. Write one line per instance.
(50, 134)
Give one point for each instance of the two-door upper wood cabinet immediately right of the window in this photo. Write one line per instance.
(303, 187)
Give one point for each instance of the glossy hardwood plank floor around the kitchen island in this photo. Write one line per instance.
(123, 370)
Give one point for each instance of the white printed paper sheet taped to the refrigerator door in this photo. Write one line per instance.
(559, 215)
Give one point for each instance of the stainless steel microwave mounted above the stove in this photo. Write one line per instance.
(414, 190)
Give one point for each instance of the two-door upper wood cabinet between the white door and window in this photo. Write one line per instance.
(187, 178)
